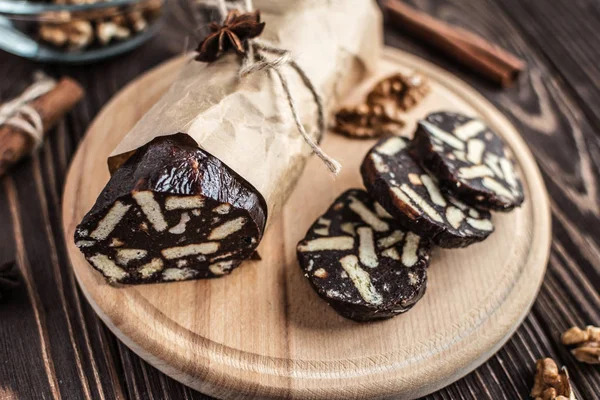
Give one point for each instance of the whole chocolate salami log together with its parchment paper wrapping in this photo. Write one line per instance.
(252, 152)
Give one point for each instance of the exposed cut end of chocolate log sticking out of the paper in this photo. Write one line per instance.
(172, 212)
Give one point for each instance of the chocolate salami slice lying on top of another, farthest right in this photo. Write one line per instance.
(469, 160)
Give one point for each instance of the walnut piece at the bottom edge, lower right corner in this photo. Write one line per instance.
(550, 383)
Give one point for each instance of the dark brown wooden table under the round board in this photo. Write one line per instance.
(52, 346)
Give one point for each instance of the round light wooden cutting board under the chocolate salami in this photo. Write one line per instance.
(263, 333)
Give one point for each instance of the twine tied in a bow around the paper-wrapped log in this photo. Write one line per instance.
(255, 61)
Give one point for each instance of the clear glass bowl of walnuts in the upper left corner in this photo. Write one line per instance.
(77, 31)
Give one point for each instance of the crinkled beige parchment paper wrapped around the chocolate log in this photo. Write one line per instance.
(247, 123)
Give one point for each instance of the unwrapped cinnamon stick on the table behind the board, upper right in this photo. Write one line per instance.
(472, 50)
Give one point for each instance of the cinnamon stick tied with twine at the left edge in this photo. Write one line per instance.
(52, 106)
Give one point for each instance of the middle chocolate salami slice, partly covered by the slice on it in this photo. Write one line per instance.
(407, 192)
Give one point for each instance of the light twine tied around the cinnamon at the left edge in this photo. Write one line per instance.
(19, 114)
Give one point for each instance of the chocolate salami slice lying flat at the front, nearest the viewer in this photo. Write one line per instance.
(359, 260)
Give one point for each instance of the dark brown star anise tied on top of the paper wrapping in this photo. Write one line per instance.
(236, 29)
